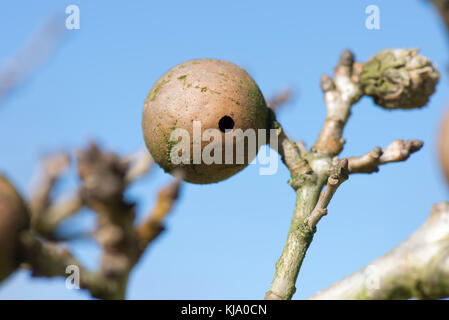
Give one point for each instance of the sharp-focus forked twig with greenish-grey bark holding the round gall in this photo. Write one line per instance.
(311, 170)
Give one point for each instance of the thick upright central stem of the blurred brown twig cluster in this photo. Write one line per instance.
(103, 175)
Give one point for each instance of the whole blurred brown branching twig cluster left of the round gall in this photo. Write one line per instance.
(105, 177)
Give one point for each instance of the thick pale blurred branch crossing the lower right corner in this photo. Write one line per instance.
(417, 268)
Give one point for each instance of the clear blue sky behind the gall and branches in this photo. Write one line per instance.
(223, 240)
